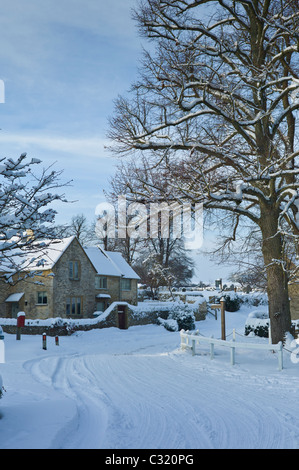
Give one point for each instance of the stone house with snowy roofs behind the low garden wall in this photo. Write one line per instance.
(65, 280)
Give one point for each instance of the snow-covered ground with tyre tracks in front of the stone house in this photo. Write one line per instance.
(135, 389)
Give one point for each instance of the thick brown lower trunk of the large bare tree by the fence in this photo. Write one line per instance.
(277, 286)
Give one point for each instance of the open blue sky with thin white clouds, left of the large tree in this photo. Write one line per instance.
(63, 63)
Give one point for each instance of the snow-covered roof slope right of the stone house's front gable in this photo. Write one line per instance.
(110, 263)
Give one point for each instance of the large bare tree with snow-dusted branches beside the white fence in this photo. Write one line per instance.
(215, 110)
